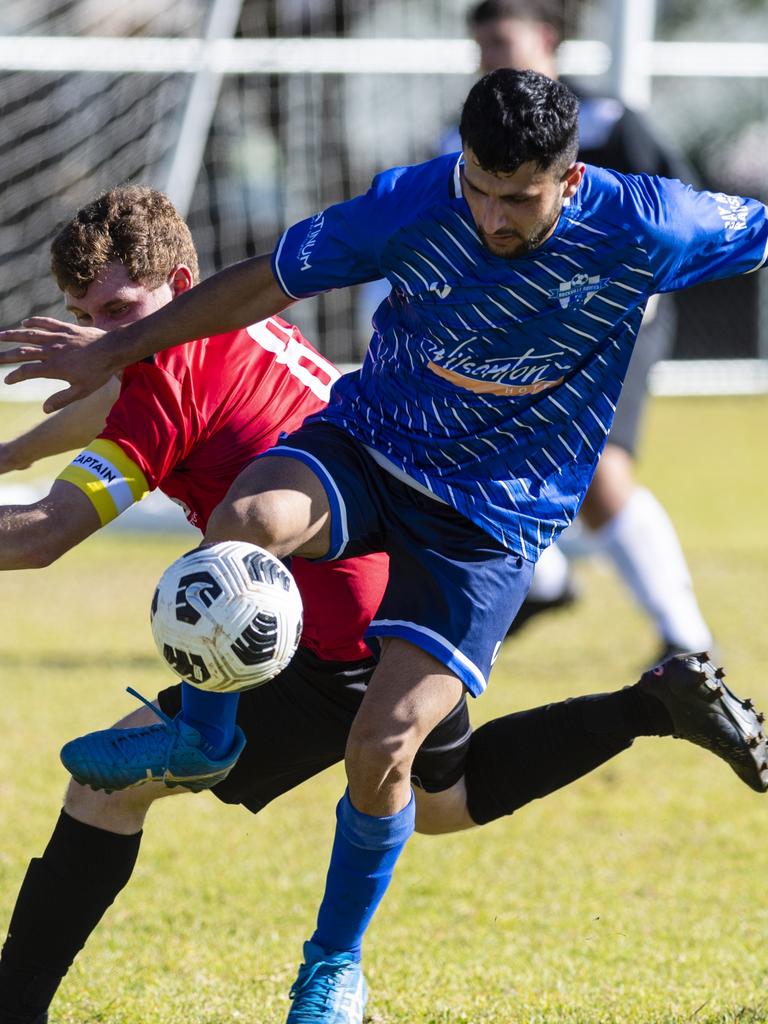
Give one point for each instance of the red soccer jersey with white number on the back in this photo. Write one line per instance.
(194, 416)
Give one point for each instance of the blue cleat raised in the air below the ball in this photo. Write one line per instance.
(169, 753)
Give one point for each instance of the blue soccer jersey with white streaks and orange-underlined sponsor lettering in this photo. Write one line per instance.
(493, 382)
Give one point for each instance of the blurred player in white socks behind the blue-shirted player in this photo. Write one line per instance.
(619, 519)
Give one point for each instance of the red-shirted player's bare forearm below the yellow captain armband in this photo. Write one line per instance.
(35, 536)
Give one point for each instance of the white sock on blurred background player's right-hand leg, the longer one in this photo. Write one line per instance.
(643, 543)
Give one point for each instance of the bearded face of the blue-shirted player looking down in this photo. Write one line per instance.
(517, 212)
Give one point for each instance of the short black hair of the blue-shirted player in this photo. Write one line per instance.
(519, 117)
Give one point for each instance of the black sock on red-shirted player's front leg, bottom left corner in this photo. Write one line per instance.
(63, 898)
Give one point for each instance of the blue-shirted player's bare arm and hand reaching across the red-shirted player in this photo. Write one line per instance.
(242, 294)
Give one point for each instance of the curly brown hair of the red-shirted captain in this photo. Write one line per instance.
(134, 225)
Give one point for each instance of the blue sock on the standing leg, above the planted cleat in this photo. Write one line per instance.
(366, 850)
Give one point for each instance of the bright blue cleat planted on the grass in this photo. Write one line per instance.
(330, 990)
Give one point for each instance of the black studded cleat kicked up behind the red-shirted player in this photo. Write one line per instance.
(705, 712)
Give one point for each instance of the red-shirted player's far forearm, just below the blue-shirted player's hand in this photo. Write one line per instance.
(71, 429)
